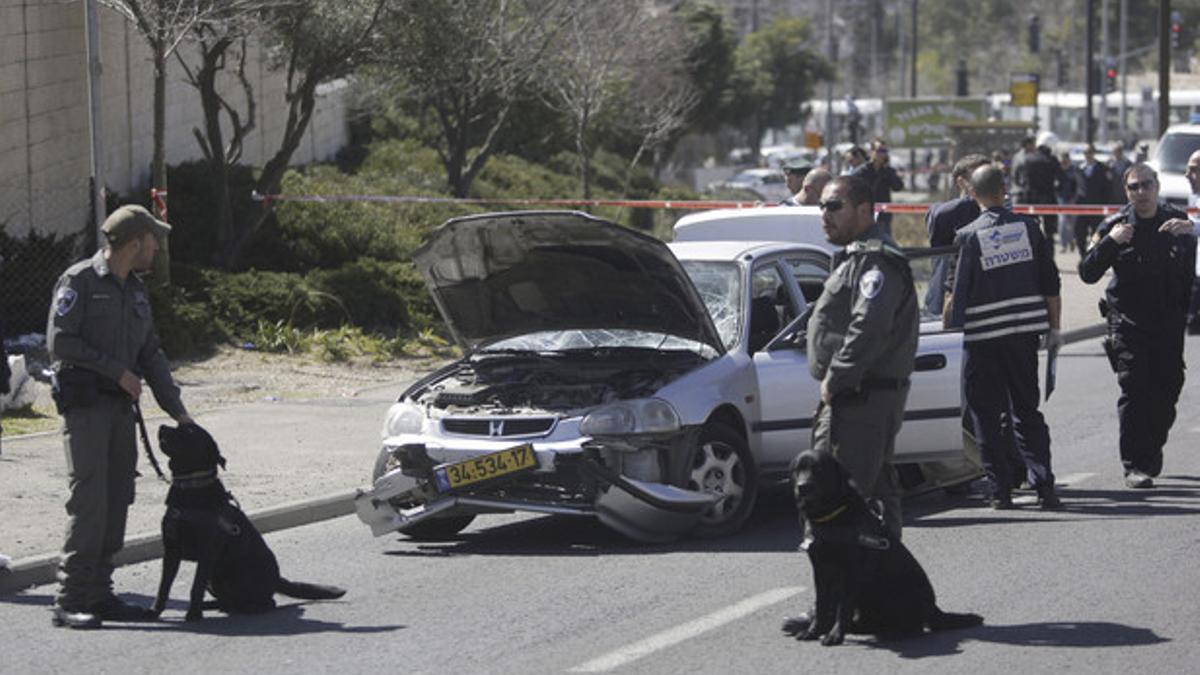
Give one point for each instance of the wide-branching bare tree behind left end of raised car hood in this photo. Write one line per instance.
(466, 62)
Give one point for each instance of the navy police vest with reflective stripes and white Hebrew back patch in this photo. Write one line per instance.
(1005, 295)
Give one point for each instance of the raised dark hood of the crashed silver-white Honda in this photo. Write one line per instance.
(501, 276)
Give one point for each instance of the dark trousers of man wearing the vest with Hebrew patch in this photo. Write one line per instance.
(1001, 377)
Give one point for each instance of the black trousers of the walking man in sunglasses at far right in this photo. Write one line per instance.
(1150, 372)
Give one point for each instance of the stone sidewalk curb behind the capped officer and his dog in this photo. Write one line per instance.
(41, 570)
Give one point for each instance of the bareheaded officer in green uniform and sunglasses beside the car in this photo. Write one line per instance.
(862, 343)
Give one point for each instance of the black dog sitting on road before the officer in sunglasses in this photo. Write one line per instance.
(867, 581)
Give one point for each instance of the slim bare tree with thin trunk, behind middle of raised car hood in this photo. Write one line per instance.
(593, 64)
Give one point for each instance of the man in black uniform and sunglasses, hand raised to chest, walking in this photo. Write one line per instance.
(1151, 249)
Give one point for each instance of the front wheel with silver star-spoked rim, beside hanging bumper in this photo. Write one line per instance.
(723, 464)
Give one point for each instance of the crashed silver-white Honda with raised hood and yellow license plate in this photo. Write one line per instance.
(614, 377)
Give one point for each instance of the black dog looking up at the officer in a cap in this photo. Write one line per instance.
(205, 524)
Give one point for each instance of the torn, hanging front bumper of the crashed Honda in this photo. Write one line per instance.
(569, 482)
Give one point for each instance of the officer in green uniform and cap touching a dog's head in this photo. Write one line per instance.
(103, 342)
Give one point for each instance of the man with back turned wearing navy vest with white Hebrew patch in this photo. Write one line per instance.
(1006, 297)
